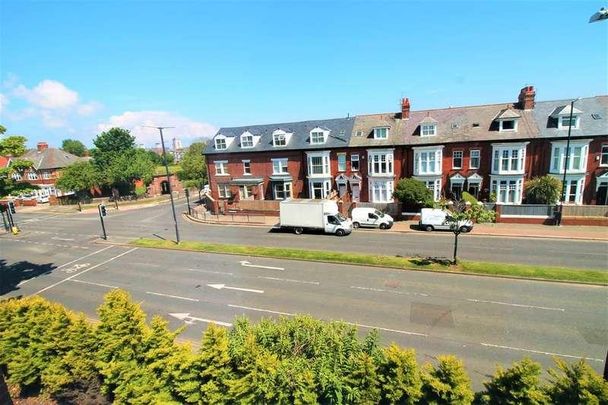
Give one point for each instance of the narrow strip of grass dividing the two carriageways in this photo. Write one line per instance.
(396, 262)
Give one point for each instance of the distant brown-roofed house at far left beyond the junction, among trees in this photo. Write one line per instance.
(48, 163)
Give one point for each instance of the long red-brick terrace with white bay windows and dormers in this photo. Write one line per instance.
(486, 149)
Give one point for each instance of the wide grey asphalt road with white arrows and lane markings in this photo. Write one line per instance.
(483, 320)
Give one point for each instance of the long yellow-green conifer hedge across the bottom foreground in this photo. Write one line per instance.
(124, 359)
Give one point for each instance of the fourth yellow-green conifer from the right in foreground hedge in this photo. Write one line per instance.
(400, 379)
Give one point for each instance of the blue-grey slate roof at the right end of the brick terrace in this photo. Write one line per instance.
(588, 126)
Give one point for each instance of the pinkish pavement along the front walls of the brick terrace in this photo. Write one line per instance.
(500, 229)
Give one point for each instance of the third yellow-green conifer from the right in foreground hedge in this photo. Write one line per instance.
(447, 383)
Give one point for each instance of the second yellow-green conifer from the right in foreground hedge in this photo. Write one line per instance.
(519, 384)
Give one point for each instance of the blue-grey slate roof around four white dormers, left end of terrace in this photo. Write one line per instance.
(339, 136)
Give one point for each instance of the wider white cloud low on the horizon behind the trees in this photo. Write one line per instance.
(136, 122)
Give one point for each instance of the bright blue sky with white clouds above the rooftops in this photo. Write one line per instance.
(72, 69)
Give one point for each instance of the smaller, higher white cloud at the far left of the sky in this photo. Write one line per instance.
(48, 94)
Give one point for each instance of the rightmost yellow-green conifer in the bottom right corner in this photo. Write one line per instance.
(576, 384)
